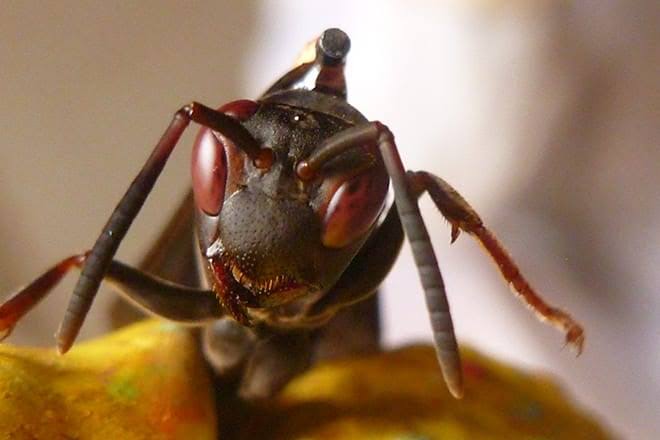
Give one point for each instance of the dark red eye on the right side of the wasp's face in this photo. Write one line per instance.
(354, 208)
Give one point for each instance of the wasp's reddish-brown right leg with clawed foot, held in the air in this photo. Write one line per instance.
(462, 217)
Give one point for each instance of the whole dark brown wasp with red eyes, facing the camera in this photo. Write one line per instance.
(293, 226)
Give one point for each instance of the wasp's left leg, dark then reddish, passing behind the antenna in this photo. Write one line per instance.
(154, 295)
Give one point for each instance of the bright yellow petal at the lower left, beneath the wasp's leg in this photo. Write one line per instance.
(147, 381)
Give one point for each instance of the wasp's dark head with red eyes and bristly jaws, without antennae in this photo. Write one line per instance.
(269, 237)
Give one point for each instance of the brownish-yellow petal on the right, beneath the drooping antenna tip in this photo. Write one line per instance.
(401, 395)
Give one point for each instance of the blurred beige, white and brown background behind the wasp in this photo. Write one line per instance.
(544, 114)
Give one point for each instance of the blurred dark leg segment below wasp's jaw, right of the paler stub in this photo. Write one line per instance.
(274, 361)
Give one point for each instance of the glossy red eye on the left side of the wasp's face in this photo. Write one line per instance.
(209, 172)
